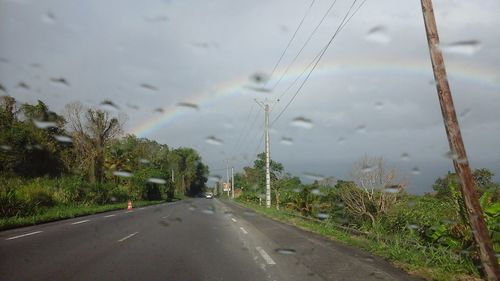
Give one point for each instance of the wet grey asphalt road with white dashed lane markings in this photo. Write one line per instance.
(196, 239)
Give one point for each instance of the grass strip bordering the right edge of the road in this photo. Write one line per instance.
(431, 263)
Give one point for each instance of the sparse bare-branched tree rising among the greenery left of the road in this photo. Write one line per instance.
(92, 130)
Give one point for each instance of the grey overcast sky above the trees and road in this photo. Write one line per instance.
(371, 93)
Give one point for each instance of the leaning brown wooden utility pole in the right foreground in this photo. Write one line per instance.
(460, 161)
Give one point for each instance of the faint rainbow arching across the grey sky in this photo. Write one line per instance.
(485, 76)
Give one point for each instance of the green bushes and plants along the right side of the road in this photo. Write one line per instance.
(375, 201)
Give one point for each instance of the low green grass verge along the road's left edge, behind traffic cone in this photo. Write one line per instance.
(67, 211)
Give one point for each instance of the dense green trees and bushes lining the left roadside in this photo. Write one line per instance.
(82, 158)
